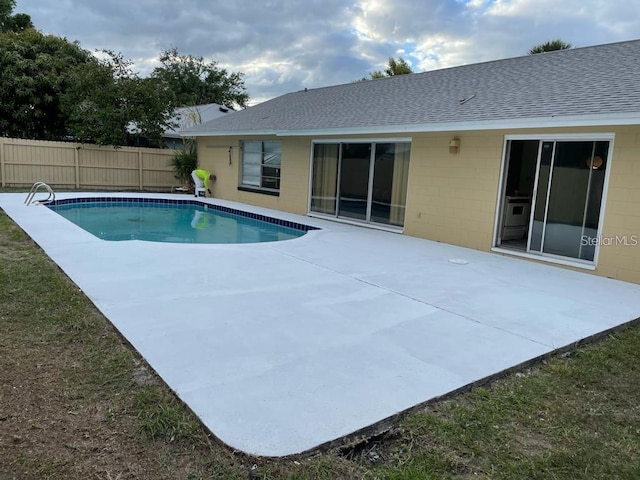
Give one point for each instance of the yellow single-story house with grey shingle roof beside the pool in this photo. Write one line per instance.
(536, 156)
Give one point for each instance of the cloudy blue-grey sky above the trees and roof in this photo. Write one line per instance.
(284, 46)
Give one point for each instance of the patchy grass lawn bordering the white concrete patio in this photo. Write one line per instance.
(77, 402)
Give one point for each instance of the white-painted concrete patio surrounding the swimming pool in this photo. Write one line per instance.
(282, 347)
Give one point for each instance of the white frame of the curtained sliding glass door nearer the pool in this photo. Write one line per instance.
(341, 142)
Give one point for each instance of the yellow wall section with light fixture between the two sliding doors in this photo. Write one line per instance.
(451, 198)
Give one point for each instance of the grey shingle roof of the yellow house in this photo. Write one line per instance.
(600, 81)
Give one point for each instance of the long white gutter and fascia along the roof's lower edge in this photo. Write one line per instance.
(554, 121)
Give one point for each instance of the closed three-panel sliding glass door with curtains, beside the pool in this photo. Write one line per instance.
(361, 181)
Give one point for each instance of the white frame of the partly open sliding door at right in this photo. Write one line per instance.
(542, 138)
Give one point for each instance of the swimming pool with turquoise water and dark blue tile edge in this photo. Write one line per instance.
(173, 221)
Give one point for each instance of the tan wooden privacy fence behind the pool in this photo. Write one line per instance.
(81, 166)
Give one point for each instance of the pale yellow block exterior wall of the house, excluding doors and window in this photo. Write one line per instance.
(452, 197)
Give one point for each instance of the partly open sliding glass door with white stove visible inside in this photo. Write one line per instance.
(565, 196)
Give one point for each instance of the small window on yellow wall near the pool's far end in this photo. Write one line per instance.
(261, 164)
